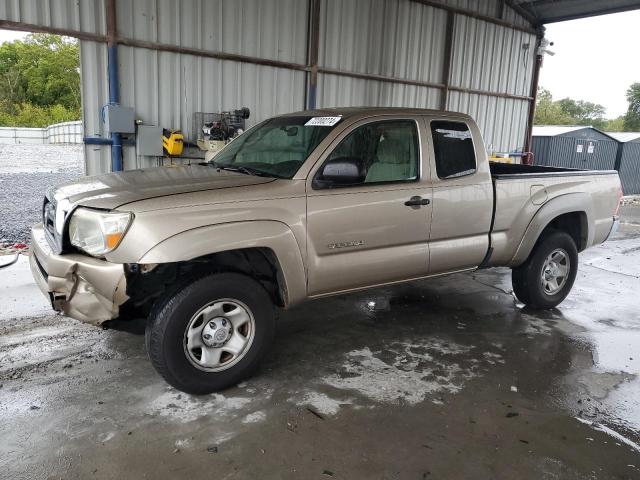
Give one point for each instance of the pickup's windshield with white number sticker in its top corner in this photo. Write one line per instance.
(277, 147)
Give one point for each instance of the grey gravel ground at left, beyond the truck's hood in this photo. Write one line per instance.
(26, 172)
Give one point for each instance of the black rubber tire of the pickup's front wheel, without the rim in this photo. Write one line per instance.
(170, 317)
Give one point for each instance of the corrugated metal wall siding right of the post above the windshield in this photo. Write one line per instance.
(405, 39)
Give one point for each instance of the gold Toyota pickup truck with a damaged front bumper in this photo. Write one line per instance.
(302, 206)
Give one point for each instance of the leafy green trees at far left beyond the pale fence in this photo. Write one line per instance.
(39, 81)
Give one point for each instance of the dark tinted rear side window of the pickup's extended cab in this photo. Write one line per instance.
(453, 146)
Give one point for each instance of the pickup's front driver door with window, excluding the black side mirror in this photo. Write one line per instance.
(365, 234)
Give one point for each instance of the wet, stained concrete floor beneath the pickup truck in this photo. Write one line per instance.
(441, 379)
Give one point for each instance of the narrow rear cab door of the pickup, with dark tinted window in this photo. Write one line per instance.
(462, 195)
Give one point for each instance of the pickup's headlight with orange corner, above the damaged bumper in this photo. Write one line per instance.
(97, 232)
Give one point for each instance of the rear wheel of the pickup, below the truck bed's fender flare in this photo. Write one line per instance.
(546, 277)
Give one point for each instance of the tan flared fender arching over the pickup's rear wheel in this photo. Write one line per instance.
(569, 203)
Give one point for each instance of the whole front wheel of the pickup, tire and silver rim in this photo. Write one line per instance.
(210, 334)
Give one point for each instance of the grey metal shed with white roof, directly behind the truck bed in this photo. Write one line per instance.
(574, 147)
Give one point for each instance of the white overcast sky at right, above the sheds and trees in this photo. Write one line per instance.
(596, 59)
